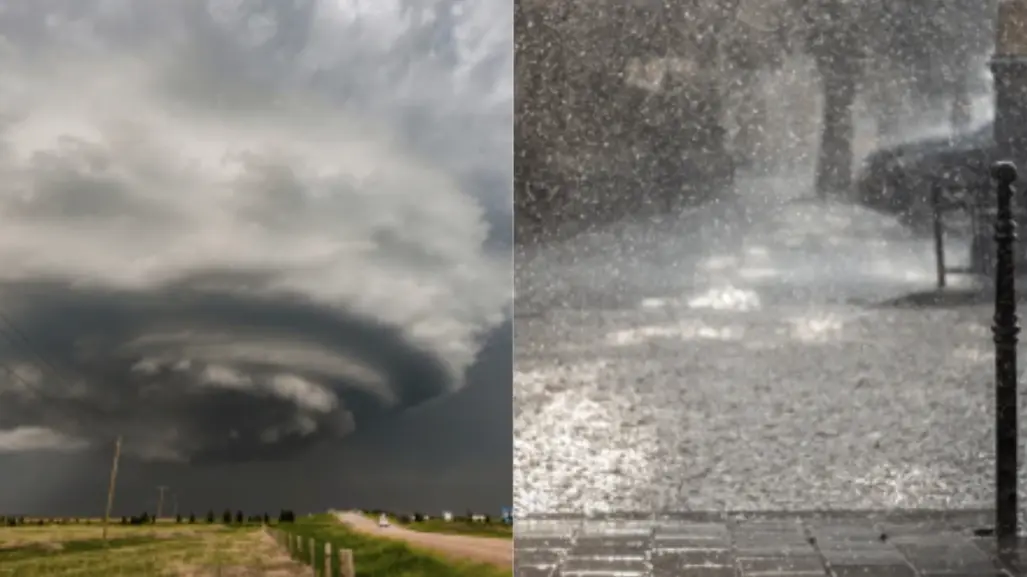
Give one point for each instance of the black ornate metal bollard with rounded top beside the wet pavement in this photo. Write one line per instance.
(1006, 330)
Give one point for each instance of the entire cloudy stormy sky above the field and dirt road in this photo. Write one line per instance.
(250, 237)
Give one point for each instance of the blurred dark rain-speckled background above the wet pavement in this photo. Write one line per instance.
(646, 106)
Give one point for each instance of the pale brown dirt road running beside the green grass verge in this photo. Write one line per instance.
(482, 550)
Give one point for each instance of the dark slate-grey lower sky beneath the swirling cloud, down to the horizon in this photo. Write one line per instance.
(451, 454)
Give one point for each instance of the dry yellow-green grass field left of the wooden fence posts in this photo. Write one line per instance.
(163, 550)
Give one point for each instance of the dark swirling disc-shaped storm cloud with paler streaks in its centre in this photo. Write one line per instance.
(191, 372)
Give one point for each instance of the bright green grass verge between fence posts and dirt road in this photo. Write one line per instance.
(385, 558)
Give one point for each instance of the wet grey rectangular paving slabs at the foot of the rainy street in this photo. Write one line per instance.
(894, 545)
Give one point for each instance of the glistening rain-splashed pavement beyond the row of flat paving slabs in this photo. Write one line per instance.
(748, 359)
